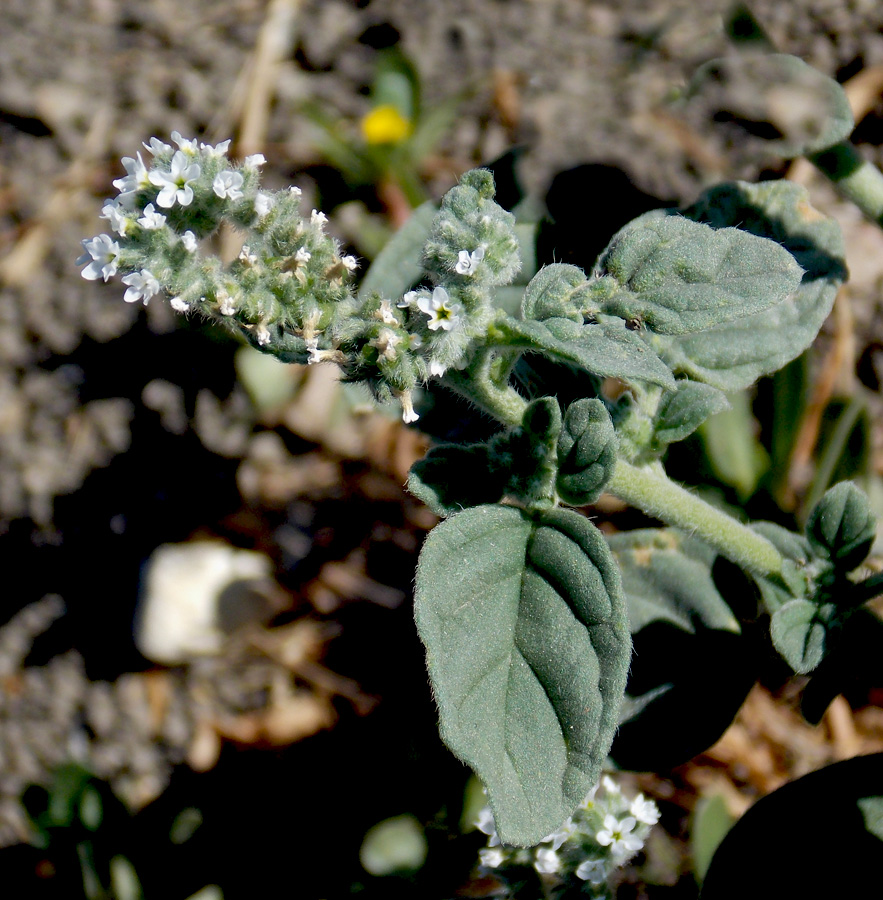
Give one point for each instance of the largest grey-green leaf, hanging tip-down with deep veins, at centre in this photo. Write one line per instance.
(527, 647)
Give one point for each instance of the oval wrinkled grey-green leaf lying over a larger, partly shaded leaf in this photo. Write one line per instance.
(677, 276)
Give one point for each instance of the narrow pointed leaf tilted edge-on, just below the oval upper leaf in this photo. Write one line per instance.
(607, 348)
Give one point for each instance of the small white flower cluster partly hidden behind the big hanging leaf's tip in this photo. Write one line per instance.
(605, 832)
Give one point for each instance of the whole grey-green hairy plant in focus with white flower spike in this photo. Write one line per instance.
(525, 608)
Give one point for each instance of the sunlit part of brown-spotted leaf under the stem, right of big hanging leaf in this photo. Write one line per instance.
(666, 577)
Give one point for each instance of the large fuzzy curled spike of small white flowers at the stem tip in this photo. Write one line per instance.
(290, 292)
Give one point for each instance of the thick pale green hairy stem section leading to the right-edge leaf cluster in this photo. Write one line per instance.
(651, 491)
